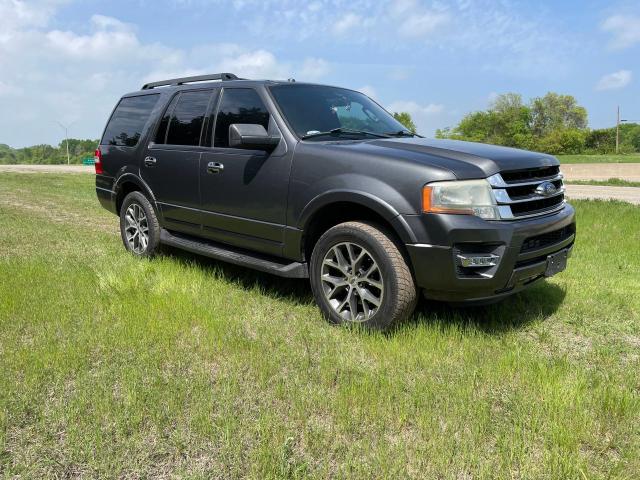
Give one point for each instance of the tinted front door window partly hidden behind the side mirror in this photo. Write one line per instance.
(239, 105)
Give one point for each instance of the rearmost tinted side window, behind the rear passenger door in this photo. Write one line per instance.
(128, 120)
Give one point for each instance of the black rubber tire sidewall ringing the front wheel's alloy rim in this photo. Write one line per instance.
(384, 317)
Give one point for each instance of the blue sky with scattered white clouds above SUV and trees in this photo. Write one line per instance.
(69, 61)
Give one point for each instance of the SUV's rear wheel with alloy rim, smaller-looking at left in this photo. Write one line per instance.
(139, 226)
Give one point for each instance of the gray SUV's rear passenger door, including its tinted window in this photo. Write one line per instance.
(171, 163)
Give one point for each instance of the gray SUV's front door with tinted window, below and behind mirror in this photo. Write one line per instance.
(244, 192)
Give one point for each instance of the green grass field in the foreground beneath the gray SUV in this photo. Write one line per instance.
(184, 367)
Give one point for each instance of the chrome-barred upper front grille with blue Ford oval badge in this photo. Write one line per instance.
(518, 194)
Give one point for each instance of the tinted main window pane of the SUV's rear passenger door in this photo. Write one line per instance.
(187, 118)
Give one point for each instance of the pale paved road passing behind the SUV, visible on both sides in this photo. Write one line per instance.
(575, 172)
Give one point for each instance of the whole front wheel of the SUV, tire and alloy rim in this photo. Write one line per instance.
(359, 276)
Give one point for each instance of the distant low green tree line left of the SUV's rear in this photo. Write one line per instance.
(47, 154)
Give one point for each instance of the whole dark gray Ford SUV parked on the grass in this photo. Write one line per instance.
(312, 181)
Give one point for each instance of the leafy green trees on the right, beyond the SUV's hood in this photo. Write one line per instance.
(553, 124)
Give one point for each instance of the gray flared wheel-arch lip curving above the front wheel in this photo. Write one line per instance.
(382, 208)
